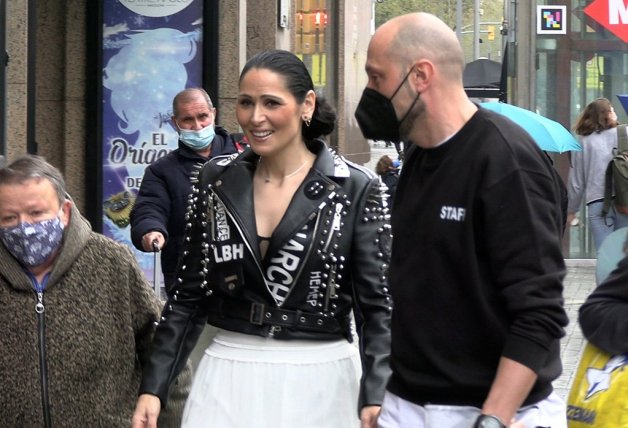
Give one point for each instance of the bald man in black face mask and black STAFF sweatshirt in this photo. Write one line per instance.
(476, 270)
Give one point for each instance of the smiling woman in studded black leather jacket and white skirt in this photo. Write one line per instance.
(284, 242)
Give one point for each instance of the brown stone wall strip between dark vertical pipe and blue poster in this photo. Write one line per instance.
(60, 88)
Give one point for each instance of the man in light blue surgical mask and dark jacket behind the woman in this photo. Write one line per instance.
(157, 218)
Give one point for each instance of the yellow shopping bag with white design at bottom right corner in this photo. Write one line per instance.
(599, 394)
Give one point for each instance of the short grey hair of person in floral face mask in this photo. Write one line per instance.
(33, 167)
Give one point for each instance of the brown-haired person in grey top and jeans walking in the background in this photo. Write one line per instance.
(596, 126)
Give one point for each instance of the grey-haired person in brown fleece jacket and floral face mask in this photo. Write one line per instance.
(77, 314)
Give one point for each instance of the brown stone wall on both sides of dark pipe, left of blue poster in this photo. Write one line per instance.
(59, 86)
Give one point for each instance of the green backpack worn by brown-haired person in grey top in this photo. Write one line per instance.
(616, 184)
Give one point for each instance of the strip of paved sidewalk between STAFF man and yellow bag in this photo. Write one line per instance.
(579, 283)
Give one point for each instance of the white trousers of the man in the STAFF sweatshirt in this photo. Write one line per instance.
(399, 413)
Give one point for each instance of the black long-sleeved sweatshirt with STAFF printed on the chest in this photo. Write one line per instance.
(477, 269)
